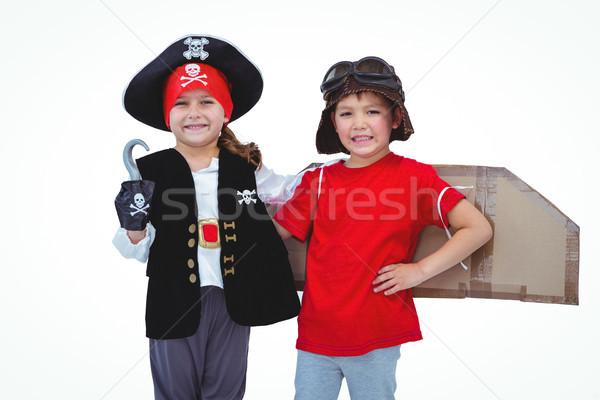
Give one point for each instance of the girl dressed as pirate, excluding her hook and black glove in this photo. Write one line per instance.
(216, 265)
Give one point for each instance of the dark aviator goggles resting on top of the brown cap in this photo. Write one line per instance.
(367, 71)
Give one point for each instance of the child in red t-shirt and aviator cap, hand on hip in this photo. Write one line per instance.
(365, 214)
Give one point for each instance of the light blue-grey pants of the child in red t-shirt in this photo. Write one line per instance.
(370, 376)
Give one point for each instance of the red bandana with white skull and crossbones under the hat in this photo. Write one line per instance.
(194, 76)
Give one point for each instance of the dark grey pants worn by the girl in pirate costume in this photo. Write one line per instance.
(211, 364)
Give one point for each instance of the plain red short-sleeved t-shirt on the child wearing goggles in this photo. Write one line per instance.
(364, 219)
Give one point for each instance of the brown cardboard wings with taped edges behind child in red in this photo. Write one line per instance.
(533, 255)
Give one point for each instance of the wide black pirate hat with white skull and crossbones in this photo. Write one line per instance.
(143, 97)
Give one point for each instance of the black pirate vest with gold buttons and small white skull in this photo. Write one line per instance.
(257, 277)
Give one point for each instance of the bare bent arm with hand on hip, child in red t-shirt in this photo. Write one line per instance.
(473, 231)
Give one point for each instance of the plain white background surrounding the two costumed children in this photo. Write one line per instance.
(498, 83)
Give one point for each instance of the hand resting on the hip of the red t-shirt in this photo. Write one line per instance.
(395, 277)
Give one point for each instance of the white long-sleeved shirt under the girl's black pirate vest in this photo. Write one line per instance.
(272, 188)
